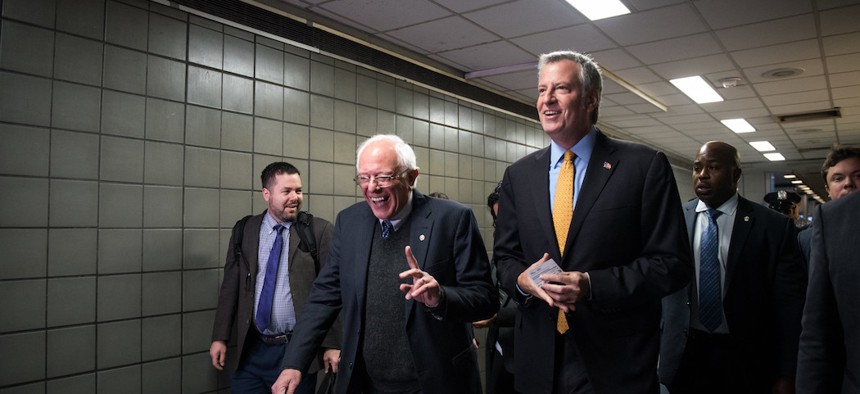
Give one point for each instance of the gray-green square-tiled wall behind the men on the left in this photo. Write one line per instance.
(131, 139)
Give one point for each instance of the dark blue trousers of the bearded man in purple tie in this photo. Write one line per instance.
(260, 366)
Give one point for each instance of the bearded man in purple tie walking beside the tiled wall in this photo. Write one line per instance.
(269, 253)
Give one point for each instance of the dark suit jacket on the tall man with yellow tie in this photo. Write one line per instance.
(627, 232)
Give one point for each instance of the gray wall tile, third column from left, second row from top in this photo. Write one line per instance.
(124, 70)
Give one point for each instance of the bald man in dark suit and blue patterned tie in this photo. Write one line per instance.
(735, 328)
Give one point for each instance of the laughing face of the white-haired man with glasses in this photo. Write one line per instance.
(380, 159)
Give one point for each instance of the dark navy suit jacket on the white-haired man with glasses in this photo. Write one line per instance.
(446, 243)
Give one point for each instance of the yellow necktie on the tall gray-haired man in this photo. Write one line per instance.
(562, 213)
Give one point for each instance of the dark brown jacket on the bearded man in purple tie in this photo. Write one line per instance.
(236, 299)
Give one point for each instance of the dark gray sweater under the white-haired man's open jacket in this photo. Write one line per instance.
(386, 351)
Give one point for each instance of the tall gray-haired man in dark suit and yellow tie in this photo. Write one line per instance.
(595, 326)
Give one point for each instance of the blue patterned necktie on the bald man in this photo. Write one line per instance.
(710, 293)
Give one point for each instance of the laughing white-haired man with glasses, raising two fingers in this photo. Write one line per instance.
(398, 242)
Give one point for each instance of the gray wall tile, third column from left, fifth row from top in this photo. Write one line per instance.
(120, 205)
